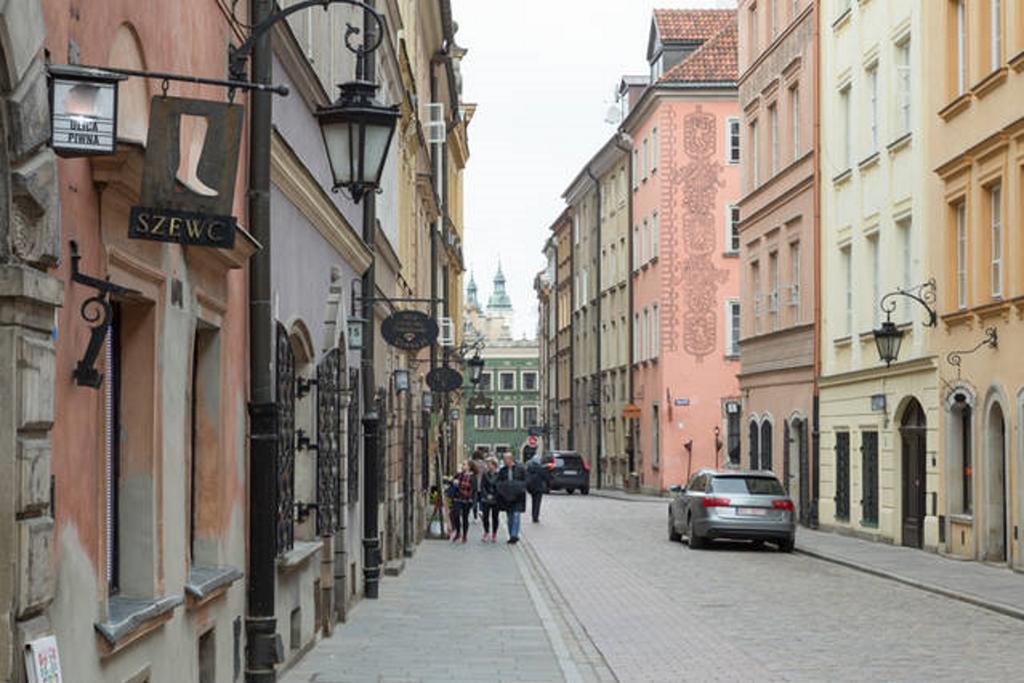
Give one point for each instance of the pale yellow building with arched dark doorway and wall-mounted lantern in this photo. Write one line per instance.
(879, 426)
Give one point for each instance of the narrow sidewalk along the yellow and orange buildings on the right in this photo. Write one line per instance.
(995, 588)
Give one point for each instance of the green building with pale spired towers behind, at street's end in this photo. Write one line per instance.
(510, 379)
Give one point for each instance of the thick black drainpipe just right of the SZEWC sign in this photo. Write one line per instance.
(264, 651)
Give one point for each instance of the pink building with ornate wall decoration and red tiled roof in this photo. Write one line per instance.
(686, 272)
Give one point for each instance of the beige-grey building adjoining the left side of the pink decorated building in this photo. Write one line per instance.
(600, 202)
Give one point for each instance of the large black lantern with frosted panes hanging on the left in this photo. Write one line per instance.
(358, 133)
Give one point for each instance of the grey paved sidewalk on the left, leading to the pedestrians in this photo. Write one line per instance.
(459, 613)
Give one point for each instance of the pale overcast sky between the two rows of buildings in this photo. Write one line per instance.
(544, 75)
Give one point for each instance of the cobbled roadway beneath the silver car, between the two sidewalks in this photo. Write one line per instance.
(661, 612)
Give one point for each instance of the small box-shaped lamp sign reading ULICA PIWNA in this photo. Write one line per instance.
(83, 111)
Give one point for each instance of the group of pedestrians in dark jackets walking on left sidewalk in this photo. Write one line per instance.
(485, 490)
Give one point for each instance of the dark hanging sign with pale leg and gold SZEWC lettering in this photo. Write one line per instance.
(192, 161)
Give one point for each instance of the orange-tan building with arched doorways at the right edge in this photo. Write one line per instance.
(975, 158)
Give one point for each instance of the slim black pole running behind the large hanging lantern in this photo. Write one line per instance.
(371, 422)
